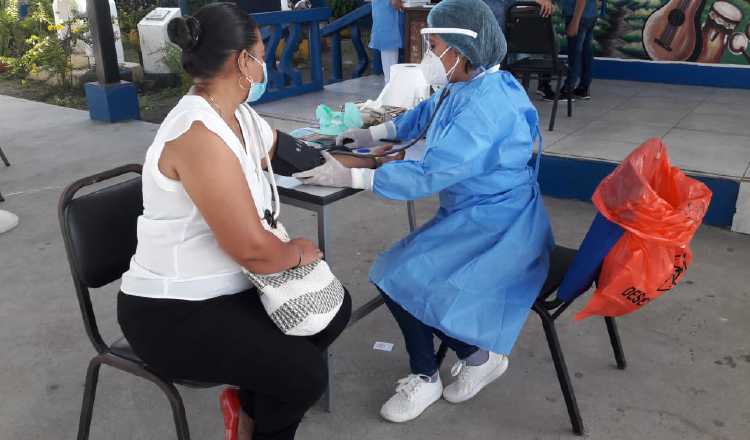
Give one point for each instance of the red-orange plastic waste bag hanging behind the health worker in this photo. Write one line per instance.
(660, 208)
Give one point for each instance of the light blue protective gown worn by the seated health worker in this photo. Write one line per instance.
(474, 270)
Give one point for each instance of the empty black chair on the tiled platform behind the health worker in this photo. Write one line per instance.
(529, 33)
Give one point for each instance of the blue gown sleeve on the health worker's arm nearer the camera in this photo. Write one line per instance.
(468, 147)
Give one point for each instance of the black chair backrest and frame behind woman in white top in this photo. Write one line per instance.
(99, 231)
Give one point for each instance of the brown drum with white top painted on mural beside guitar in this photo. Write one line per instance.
(723, 18)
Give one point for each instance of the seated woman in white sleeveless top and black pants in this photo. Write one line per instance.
(186, 307)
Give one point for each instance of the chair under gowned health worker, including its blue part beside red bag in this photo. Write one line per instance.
(577, 269)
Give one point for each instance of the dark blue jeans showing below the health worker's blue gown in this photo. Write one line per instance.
(420, 343)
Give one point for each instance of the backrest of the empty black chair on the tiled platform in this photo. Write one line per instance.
(528, 32)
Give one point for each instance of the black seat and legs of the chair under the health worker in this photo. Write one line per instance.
(549, 308)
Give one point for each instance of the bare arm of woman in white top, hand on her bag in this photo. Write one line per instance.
(214, 180)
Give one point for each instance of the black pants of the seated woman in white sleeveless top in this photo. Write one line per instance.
(231, 340)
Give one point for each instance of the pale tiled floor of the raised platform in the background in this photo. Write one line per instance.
(706, 129)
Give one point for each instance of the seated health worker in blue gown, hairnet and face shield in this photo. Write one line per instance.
(470, 275)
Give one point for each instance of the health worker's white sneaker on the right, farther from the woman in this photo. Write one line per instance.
(471, 380)
